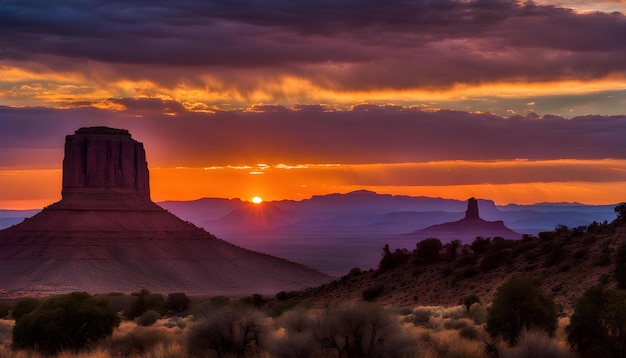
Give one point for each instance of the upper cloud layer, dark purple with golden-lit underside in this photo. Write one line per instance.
(225, 53)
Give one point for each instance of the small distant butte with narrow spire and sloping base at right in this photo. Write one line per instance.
(468, 228)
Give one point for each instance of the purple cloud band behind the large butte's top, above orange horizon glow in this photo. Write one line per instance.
(312, 134)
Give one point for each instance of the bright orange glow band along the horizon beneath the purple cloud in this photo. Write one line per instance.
(33, 189)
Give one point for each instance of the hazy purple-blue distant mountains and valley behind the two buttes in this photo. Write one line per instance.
(336, 232)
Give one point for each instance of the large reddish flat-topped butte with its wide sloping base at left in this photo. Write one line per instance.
(106, 235)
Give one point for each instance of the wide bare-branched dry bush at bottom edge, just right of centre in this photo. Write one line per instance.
(362, 330)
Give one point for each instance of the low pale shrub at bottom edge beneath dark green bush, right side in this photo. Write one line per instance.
(536, 344)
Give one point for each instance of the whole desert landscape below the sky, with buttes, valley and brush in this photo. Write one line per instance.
(440, 285)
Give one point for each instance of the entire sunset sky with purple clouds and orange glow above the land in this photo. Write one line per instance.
(518, 102)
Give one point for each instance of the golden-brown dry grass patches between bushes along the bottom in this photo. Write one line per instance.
(449, 332)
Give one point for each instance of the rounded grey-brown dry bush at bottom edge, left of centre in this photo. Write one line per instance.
(227, 330)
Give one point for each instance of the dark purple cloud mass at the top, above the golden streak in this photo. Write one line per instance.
(397, 44)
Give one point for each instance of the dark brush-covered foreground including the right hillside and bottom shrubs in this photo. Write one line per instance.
(521, 316)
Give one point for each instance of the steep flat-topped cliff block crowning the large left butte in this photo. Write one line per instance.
(104, 159)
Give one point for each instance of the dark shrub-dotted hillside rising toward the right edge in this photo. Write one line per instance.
(565, 262)
